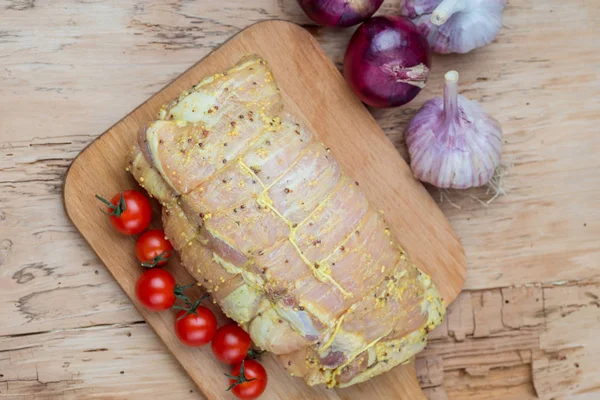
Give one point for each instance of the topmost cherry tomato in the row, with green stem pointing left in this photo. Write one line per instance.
(129, 212)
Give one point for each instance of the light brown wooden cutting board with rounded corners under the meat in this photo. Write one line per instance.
(313, 90)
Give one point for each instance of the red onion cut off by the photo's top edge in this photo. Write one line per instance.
(342, 13)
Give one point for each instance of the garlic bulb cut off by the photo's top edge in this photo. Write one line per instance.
(456, 26)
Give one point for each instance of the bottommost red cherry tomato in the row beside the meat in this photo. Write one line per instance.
(248, 380)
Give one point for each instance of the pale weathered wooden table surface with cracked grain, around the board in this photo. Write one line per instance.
(524, 327)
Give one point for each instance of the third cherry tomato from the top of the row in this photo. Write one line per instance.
(155, 289)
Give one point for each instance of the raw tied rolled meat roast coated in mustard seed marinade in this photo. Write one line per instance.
(265, 219)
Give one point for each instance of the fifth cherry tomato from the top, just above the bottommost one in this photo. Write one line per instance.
(230, 344)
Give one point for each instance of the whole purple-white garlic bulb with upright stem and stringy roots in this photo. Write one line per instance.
(452, 142)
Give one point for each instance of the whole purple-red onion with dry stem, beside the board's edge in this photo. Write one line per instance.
(387, 61)
